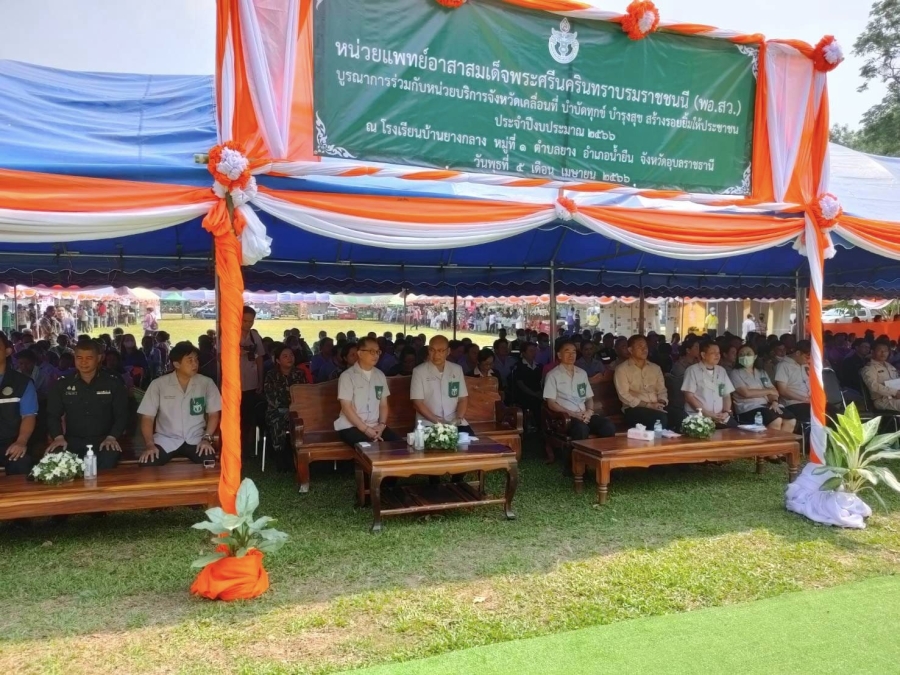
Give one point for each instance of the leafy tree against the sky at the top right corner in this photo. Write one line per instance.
(879, 45)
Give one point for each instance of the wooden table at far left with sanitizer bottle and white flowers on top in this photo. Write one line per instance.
(124, 488)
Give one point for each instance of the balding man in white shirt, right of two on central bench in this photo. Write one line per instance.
(438, 388)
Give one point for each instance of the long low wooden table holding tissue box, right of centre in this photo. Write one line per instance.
(606, 454)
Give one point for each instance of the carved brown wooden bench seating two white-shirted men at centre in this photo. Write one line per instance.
(315, 407)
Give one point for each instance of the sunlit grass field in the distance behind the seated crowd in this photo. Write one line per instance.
(189, 329)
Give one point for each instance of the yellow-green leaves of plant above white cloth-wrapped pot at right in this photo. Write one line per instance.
(853, 450)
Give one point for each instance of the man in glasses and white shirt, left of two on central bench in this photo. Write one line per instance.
(363, 393)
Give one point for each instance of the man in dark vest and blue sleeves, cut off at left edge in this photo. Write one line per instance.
(18, 412)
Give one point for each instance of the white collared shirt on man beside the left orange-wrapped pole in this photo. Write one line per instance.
(180, 414)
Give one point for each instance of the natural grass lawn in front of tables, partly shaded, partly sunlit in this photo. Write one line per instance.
(111, 594)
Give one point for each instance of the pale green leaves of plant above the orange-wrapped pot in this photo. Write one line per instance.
(238, 534)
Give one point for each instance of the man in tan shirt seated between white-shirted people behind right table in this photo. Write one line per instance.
(641, 387)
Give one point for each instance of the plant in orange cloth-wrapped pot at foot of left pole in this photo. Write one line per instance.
(235, 570)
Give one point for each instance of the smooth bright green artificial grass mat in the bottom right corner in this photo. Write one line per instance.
(851, 628)
